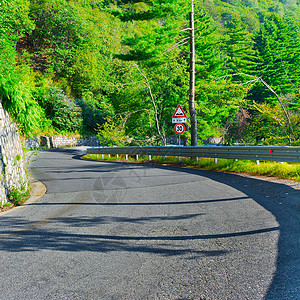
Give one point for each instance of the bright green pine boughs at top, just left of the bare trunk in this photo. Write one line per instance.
(155, 28)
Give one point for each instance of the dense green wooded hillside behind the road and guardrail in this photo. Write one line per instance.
(119, 68)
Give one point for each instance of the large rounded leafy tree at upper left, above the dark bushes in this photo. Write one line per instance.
(73, 42)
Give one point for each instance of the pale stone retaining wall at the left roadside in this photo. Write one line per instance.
(13, 160)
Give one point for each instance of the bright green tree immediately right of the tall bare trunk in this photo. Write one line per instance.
(217, 101)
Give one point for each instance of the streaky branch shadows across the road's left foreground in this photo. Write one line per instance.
(33, 236)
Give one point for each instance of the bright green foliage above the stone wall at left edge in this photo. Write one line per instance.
(16, 79)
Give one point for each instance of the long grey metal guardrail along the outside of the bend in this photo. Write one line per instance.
(276, 153)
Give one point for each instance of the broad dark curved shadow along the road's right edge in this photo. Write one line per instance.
(283, 201)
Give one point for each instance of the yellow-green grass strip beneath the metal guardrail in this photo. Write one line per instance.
(265, 168)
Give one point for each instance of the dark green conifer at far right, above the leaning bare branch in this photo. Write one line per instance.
(278, 49)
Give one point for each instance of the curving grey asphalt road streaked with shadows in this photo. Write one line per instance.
(111, 230)
